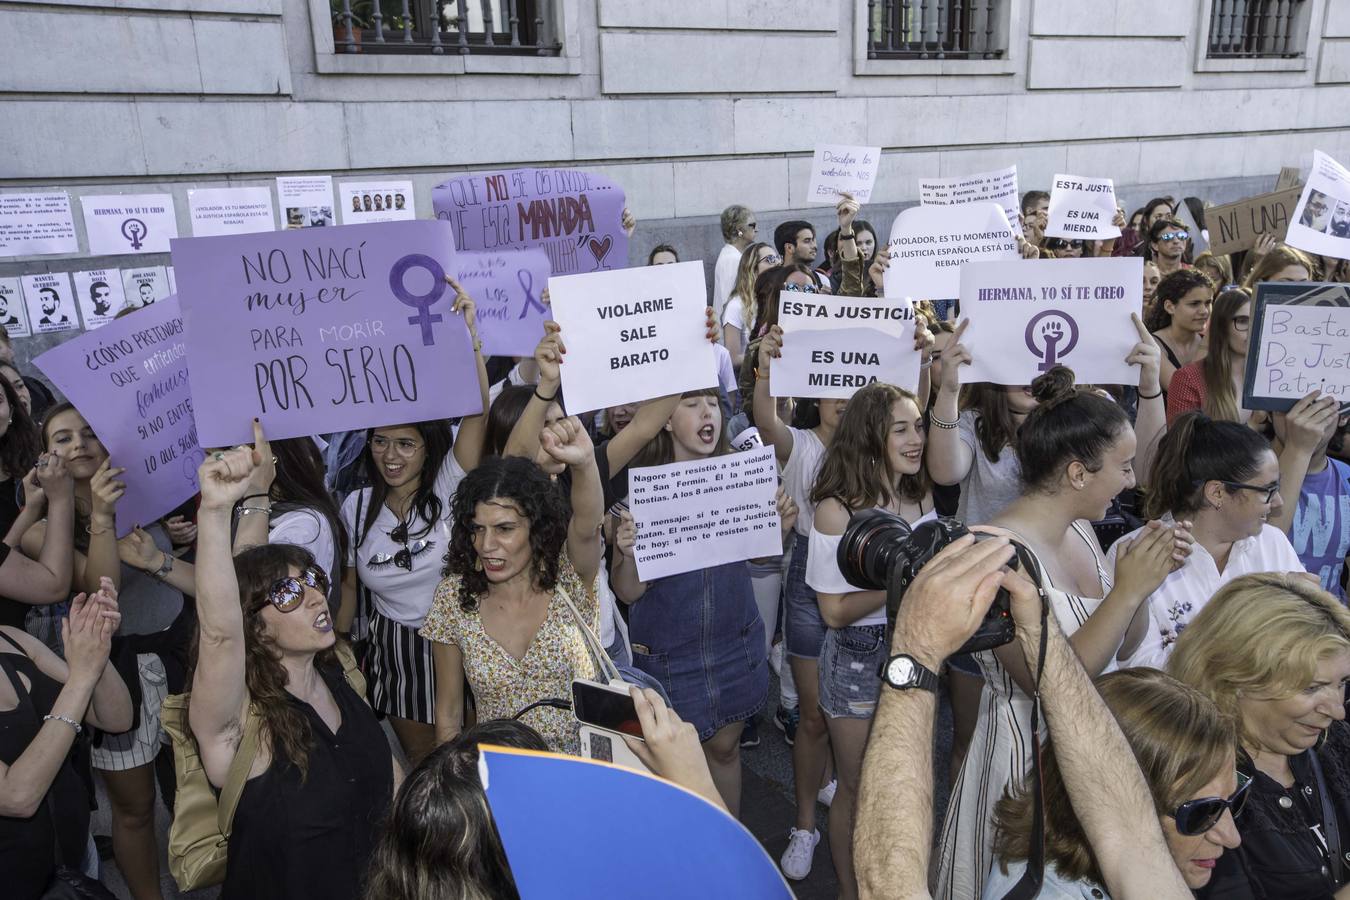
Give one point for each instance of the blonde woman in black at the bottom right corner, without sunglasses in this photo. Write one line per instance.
(1274, 652)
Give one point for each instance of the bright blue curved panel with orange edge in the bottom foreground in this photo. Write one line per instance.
(681, 847)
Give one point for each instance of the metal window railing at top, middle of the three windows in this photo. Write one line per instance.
(936, 29)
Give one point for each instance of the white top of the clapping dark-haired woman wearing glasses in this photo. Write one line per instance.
(1185, 593)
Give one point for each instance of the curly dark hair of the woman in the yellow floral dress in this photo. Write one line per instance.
(524, 485)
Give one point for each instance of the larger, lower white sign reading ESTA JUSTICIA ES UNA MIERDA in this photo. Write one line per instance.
(834, 346)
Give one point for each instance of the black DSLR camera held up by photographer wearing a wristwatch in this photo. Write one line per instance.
(881, 551)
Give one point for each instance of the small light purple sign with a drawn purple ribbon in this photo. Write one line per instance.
(508, 287)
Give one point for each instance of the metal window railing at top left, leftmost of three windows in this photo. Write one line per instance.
(504, 28)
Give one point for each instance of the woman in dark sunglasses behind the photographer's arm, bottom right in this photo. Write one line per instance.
(1186, 748)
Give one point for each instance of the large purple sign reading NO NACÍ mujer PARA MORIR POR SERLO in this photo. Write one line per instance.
(310, 330)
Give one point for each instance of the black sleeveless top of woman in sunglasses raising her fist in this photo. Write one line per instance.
(296, 840)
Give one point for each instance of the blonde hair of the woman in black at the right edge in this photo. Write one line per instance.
(1260, 636)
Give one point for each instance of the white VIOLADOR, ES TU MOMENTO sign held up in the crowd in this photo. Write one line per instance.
(929, 245)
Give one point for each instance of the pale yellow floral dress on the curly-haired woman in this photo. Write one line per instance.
(503, 685)
